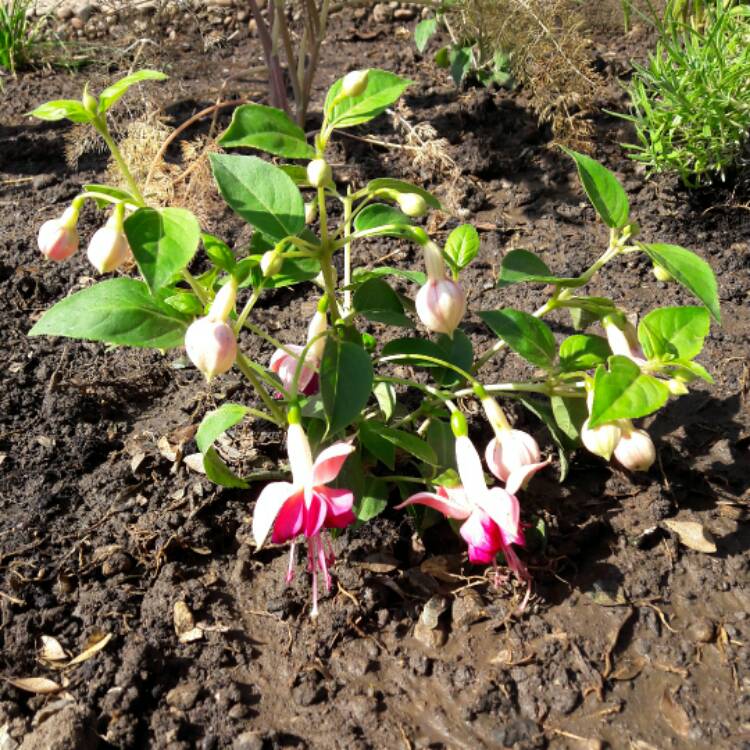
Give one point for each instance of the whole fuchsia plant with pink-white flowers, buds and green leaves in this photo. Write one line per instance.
(338, 394)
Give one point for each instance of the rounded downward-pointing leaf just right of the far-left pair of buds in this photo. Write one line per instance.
(163, 242)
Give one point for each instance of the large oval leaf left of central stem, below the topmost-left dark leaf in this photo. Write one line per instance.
(261, 193)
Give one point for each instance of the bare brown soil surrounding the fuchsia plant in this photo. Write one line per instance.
(630, 639)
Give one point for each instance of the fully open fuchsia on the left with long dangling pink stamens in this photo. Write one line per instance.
(306, 505)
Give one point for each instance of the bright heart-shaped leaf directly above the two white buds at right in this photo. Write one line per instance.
(624, 392)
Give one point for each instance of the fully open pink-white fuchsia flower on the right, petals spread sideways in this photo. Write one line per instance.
(491, 516)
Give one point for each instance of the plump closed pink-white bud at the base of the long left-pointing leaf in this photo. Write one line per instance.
(210, 341)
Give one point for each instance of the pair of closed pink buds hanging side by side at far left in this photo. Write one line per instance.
(108, 248)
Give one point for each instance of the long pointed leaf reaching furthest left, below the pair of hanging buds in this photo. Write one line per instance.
(116, 311)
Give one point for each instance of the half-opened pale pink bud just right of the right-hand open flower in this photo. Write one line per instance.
(513, 456)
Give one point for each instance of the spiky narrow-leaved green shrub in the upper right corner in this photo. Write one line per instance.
(691, 102)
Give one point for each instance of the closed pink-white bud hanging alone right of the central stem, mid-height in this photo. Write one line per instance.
(441, 302)
